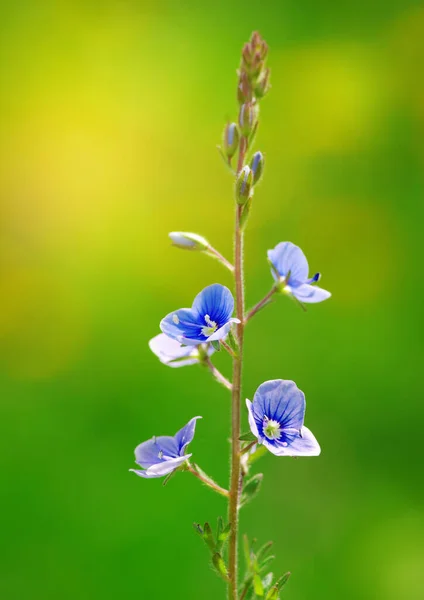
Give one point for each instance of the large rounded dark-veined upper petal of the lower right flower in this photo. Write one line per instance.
(280, 400)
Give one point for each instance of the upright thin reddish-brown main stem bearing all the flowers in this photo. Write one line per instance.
(235, 413)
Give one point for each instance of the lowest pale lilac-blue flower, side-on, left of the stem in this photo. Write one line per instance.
(162, 455)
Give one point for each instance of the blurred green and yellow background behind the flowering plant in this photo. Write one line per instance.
(110, 113)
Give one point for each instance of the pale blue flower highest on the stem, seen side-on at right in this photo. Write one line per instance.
(290, 270)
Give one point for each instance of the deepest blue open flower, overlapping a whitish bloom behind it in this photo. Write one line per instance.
(208, 320)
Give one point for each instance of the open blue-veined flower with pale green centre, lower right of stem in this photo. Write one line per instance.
(276, 418)
